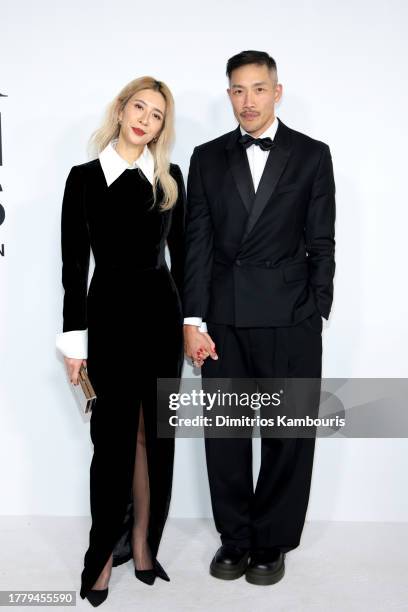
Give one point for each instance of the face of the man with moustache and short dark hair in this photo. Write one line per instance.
(253, 93)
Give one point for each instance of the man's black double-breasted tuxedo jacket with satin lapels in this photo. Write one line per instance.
(264, 259)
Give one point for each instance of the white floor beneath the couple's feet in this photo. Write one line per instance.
(337, 567)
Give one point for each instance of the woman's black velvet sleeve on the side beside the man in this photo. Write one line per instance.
(175, 237)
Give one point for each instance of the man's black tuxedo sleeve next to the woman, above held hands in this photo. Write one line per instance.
(199, 245)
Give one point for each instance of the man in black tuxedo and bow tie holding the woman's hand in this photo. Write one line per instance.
(258, 279)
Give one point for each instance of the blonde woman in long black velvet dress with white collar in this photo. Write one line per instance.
(127, 329)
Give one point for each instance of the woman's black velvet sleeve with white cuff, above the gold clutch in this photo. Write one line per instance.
(75, 250)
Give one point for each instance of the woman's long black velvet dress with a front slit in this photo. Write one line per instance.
(134, 319)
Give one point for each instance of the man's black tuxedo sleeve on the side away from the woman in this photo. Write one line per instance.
(319, 234)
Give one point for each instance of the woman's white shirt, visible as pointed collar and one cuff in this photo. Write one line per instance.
(75, 343)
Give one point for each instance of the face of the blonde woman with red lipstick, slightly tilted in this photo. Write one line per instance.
(142, 117)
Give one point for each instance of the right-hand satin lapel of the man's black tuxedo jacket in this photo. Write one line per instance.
(275, 165)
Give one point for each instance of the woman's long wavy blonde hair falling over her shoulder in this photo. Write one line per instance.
(160, 149)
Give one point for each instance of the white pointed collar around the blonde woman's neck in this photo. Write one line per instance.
(113, 165)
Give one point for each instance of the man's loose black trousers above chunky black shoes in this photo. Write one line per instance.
(272, 514)
